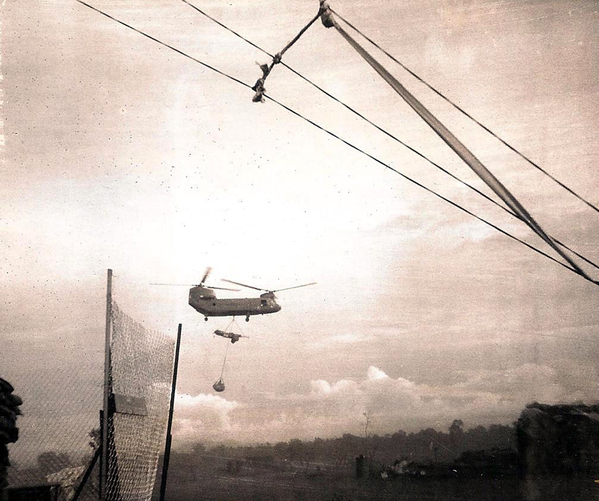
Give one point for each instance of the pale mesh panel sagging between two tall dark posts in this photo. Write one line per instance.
(141, 366)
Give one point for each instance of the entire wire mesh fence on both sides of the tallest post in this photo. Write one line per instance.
(60, 429)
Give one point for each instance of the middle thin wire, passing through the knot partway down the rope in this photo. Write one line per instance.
(381, 129)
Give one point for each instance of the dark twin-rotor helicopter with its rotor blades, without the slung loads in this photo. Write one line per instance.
(203, 299)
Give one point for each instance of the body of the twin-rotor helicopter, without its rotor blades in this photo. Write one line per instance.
(205, 302)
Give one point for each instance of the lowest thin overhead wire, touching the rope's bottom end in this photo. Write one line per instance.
(222, 73)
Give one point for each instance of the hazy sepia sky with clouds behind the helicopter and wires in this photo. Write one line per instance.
(120, 153)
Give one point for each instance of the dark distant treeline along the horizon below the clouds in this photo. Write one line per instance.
(425, 444)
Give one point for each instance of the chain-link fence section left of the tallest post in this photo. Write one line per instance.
(57, 429)
